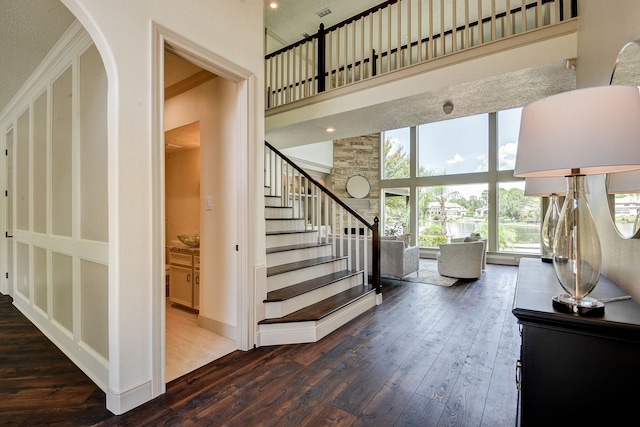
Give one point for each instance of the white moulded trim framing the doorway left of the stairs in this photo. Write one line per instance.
(198, 55)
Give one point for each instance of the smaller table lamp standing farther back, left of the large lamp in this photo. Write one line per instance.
(553, 188)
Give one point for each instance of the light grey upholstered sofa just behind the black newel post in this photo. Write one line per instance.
(396, 259)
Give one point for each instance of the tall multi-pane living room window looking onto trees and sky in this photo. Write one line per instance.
(451, 178)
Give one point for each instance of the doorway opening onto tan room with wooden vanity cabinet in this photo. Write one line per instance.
(194, 335)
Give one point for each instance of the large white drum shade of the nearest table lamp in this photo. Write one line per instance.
(594, 130)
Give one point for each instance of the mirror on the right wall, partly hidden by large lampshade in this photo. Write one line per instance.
(623, 188)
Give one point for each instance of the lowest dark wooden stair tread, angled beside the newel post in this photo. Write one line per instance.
(323, 308)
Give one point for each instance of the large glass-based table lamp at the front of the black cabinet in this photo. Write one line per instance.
(574, 134)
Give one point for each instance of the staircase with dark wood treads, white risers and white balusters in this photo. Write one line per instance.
(313, 287)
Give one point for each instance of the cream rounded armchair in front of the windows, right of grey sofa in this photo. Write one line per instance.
(462, 260)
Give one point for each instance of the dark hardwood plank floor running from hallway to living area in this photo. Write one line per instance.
(428, 356)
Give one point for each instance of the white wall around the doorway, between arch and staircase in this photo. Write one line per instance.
(130, 36)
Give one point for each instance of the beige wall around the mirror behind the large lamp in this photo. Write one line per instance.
(604, 30)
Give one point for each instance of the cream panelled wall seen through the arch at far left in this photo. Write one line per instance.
(61, 234)
